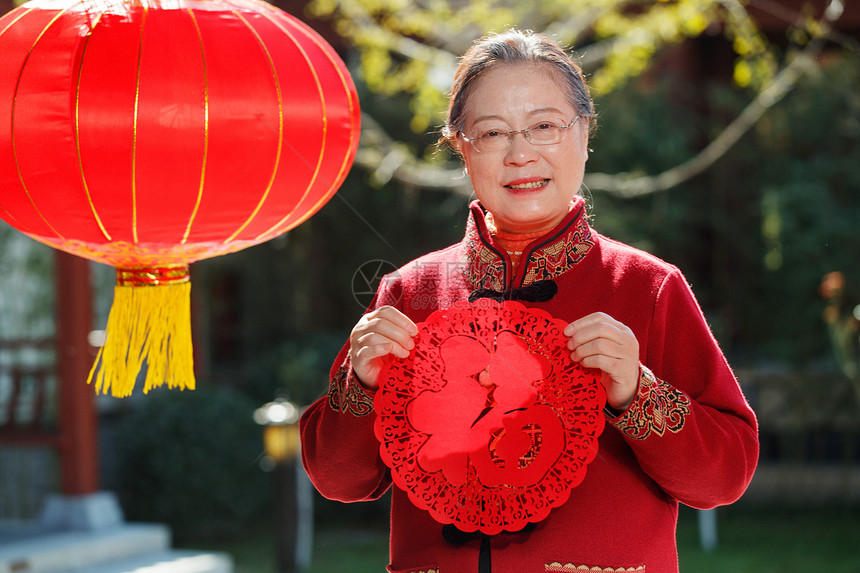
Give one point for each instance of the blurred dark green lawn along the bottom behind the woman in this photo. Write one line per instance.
(749, 540)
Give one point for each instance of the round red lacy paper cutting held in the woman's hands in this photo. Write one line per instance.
(488, 424)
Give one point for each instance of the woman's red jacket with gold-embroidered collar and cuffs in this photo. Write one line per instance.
(688, 437)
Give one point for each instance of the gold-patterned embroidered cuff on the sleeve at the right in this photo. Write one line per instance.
(657, 407)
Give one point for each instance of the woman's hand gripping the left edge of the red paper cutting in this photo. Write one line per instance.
(379, 333)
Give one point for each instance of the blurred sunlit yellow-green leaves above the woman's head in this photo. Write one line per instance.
(405, 46)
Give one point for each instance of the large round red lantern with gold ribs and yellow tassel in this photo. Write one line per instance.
(148, 134)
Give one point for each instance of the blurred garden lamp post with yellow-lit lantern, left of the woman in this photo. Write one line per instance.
(293, 498)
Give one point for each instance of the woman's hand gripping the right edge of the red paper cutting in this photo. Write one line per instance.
(600, 341)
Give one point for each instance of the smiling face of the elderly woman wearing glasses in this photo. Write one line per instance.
(526, 187)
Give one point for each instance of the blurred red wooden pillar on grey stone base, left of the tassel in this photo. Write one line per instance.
(79, 466)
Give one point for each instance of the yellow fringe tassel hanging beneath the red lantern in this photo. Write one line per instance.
(151, 324)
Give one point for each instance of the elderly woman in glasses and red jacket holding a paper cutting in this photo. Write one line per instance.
(678, 427)
